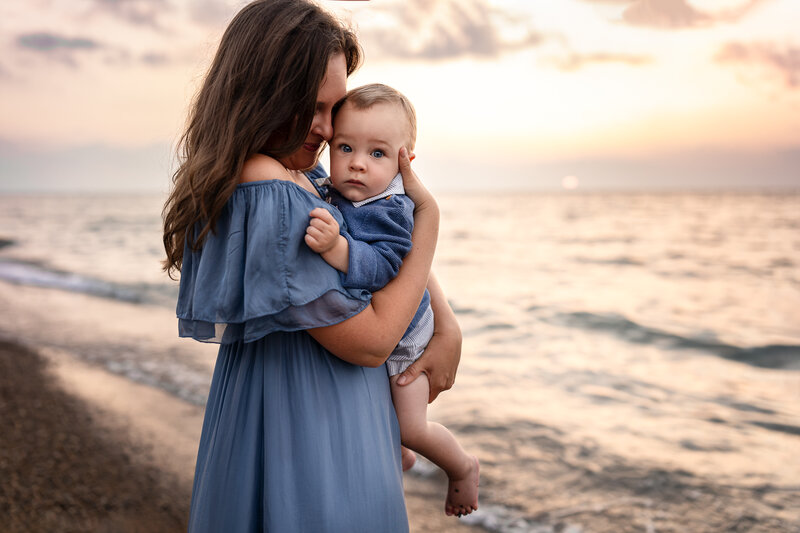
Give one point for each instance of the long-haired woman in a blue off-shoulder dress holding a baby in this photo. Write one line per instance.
(299, 432)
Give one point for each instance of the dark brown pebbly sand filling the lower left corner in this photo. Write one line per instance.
(62, 471)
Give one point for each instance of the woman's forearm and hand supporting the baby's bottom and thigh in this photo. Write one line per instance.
(440, 359)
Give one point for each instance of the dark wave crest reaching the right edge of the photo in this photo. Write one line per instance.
(784, 356)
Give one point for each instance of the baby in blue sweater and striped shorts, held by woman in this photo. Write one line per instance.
(371, 124)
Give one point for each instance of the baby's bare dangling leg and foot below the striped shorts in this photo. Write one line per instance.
(436, 443)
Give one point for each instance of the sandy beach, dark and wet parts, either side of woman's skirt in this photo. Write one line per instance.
(120, 454)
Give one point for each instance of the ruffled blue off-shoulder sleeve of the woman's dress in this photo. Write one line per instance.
(255, 274)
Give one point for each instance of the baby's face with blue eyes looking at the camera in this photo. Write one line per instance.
(365, 147)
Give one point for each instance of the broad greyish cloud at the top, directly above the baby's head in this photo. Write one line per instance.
(448, 29)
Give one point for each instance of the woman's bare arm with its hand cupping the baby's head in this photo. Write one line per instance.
(369, 337)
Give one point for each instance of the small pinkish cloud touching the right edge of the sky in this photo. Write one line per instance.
(784, 62)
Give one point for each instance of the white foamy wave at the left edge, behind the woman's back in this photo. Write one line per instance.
(35, 274)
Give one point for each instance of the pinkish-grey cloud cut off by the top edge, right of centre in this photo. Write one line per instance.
(675, 14)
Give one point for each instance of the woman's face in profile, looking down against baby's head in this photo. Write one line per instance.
(334, 87)
